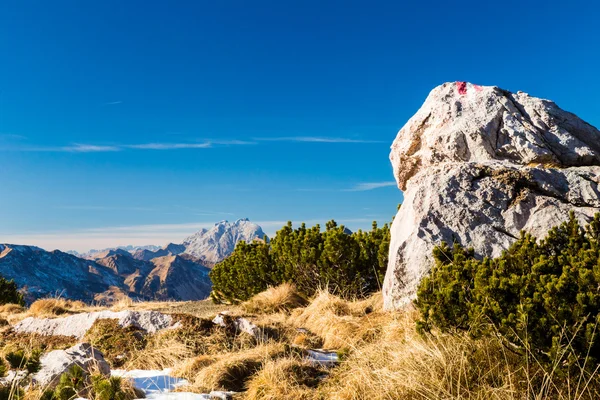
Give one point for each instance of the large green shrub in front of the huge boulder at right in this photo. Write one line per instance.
(542, 298)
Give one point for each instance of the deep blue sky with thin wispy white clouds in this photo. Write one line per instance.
(140, 121)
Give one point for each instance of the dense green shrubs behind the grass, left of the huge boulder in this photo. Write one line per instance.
(351, 265)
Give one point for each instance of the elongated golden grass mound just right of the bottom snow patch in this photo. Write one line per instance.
(232, 370)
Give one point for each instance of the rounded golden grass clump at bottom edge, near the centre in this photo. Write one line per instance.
(284, 378)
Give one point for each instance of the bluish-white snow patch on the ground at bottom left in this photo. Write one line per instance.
(159, 385)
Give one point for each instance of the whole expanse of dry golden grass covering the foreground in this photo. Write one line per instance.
(384, 356)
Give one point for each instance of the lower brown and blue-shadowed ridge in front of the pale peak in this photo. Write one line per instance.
(40, 273)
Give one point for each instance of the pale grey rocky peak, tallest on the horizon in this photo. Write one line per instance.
(215, 244)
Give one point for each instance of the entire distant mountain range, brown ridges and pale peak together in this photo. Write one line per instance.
(173, 272)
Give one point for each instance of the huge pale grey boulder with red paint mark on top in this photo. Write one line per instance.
(479, 164)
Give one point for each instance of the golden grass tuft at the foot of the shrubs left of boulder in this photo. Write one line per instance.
(281, 298)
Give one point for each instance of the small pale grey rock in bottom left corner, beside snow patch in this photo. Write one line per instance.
(57, 362)
